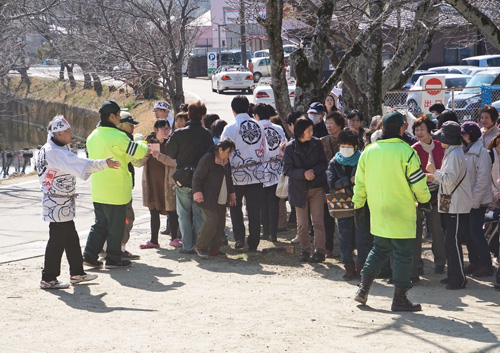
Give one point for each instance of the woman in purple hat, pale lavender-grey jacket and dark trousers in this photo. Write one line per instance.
(479, 173)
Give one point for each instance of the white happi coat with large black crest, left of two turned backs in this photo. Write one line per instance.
(251, 150)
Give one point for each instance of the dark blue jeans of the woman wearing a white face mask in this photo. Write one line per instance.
(351, 237)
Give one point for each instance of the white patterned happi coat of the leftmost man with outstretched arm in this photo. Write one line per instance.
(57, 168)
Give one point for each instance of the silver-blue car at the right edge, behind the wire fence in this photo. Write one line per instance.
(466, 104)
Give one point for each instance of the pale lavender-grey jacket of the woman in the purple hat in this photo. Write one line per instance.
(479, 172)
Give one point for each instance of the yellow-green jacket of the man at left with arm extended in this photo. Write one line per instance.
(113, 186)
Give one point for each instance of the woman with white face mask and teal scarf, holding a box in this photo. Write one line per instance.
(341, 174)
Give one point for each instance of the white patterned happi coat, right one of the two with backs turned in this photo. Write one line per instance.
(274, 137)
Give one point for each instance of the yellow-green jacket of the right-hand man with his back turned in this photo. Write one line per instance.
(389, 178)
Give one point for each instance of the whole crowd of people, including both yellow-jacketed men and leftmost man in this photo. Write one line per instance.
(408, 178)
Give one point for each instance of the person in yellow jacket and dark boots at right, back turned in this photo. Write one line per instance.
(390, 182)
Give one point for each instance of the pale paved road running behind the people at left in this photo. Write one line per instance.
(23, 234)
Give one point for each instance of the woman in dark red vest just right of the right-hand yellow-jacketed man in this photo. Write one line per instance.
(428, 150)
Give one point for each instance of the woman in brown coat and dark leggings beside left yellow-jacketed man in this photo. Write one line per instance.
(158, 186)
